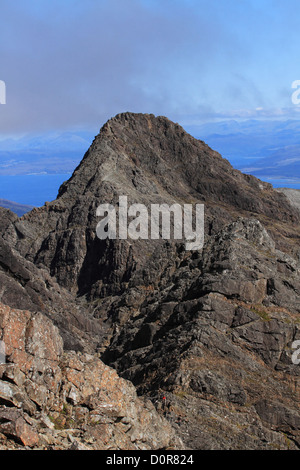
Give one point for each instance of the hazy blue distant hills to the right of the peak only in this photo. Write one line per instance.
(266, 149)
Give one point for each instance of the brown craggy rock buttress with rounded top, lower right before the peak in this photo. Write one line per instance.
(220, 335)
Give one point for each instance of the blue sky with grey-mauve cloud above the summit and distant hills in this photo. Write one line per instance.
(73, 64)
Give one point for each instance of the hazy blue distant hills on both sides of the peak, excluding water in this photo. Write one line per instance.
(269, 149)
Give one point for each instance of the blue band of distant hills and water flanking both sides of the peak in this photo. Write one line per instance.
(33, 167)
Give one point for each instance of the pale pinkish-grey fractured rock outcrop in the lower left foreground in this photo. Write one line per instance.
(52, 399)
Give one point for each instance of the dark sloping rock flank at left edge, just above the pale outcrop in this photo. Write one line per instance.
(23, 285)
